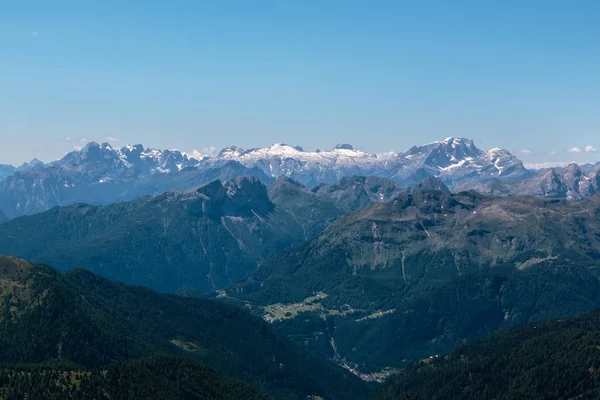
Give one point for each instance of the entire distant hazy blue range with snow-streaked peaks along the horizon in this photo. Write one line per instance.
(99, 174)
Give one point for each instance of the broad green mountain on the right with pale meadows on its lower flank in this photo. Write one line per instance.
(419, 275)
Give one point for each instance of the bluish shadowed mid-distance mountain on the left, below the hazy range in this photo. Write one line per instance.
(190, 242)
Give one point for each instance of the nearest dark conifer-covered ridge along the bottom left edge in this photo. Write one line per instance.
(158, 377)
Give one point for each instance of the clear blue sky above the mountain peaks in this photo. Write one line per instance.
(199, 75)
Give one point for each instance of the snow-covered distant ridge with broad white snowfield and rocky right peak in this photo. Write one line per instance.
(451, 159)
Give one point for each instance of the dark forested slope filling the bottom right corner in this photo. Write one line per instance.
(547, 360)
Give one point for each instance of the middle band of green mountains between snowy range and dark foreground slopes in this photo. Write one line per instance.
(363, 273)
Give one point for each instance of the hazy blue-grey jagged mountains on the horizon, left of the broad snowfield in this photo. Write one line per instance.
(102, 180)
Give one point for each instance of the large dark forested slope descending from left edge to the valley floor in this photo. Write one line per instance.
(76, 324)
